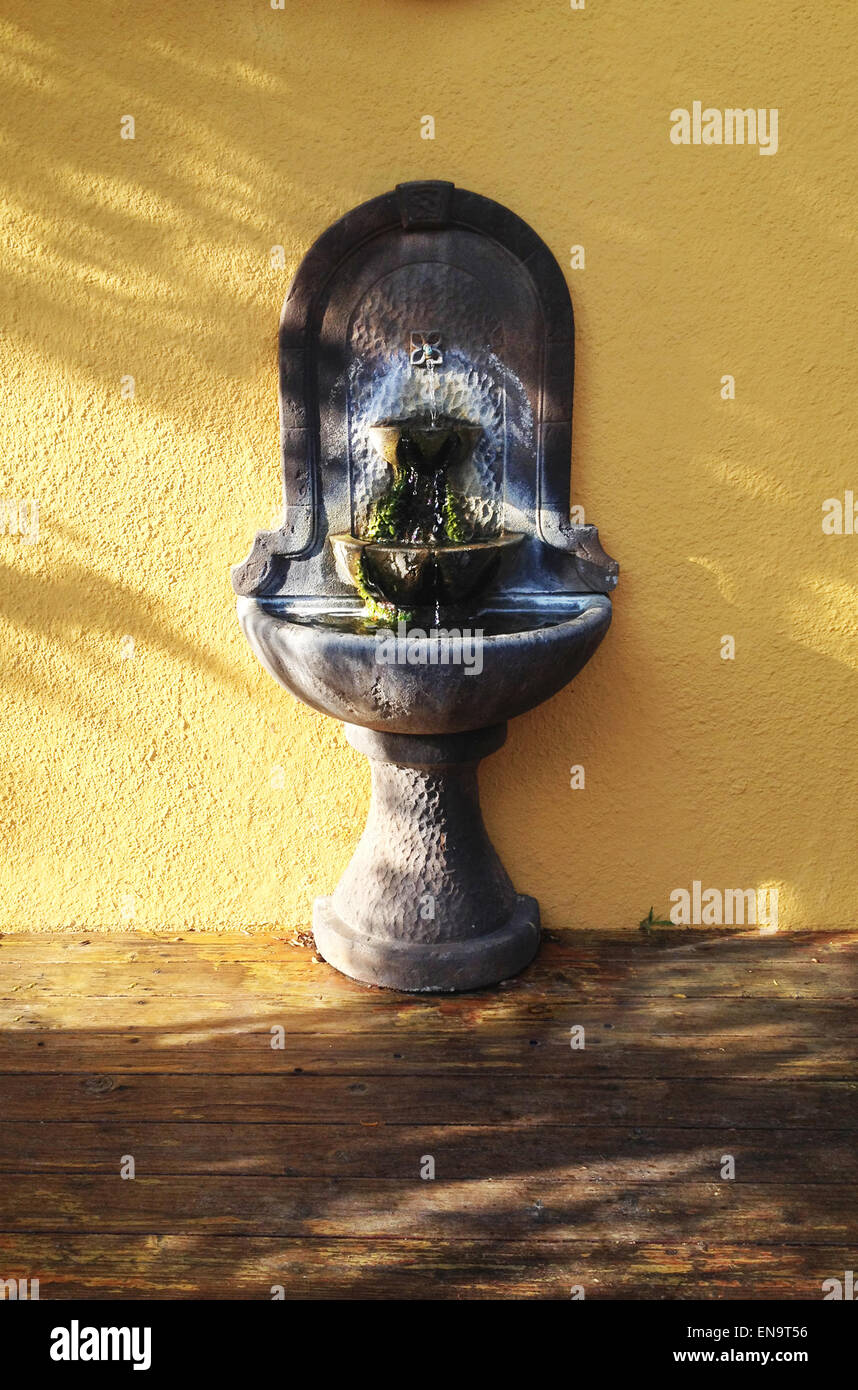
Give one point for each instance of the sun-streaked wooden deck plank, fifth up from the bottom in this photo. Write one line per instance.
(443, 1046)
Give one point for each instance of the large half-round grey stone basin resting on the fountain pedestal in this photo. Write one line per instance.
(330, 665)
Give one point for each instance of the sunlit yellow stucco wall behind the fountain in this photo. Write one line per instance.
(179, 786)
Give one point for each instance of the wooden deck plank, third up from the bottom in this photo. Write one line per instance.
(462, 1152)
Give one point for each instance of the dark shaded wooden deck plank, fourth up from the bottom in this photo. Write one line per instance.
(415, 1100)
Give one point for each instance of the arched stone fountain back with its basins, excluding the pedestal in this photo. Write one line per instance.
(426, 370)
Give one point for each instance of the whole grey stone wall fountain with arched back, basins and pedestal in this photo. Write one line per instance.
(426, 583)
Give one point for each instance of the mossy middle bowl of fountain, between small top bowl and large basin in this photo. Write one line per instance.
(411, 576)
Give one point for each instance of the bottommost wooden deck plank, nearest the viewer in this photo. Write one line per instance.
(223, 1267)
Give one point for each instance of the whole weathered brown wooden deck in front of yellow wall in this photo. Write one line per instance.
(301, 1167)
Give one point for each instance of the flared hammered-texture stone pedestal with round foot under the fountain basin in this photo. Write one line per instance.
(426, 904)
